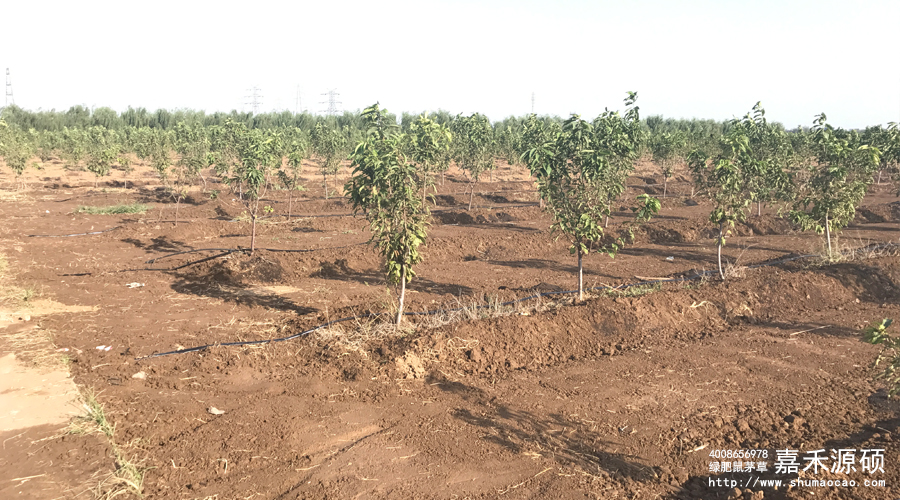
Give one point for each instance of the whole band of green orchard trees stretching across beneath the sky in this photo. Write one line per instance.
(817, 176)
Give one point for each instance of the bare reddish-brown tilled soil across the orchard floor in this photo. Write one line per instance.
(623, 396)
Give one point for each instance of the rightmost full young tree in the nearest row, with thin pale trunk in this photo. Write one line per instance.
(837, 181)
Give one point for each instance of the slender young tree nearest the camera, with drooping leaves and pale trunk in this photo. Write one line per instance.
(384, 187)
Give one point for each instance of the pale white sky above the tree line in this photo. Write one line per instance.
(686, 59)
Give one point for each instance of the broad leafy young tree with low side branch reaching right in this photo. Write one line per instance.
(574, 173)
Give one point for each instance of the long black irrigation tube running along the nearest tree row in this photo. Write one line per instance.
(508, 303)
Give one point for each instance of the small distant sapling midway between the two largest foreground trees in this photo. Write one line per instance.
(472, 147)
